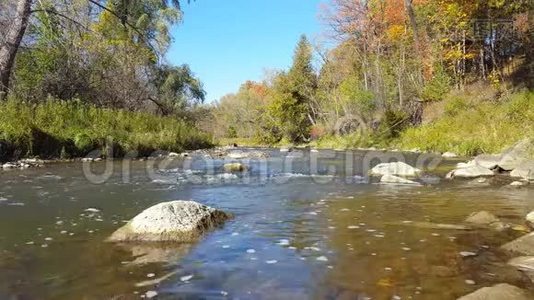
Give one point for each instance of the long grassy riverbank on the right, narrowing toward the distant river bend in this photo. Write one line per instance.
(462, 124)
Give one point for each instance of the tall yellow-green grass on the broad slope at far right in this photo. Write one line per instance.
(469, 128)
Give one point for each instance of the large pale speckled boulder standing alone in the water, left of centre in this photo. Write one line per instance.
(176, 221)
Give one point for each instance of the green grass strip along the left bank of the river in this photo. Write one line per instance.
(69, 129)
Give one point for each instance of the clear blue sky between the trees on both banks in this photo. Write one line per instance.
(229, 42)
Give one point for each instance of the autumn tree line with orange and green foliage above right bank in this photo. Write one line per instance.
(390, 59)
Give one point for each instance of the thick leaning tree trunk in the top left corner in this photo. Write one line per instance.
(13, 38)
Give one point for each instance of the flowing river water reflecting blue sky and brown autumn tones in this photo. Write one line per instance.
(334, 235)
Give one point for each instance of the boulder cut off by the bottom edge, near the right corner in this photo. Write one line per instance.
(502, 291)
